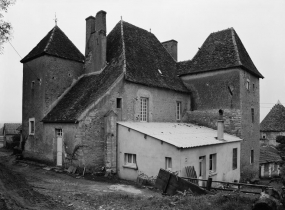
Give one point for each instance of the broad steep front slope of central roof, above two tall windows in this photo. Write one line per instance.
(147, 61)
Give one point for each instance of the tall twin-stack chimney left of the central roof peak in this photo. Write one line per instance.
(96, 43)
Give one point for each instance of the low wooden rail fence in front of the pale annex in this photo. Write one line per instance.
(209, 182)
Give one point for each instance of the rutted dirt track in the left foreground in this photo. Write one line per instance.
(26, 186)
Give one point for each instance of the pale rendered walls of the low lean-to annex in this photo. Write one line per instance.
(151, 153)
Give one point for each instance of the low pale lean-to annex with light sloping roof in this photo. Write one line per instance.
(147, 147)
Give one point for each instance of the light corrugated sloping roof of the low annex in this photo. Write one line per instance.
(180, 134)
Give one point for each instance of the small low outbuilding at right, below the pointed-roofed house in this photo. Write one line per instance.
(270, 162)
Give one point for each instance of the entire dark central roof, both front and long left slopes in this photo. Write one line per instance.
(144, 55)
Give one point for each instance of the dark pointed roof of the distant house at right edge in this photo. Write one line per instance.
(274, 120)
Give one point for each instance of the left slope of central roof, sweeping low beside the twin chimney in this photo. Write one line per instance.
(90, 87)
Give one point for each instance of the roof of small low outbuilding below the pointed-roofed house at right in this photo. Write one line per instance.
(269, 155)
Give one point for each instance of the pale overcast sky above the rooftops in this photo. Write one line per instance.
(259, 24)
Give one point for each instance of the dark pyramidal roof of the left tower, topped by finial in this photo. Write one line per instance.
(55, 43)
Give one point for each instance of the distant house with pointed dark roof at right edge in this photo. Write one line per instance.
(273, 125)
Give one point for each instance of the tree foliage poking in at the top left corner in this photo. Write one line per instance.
(5, 27)
